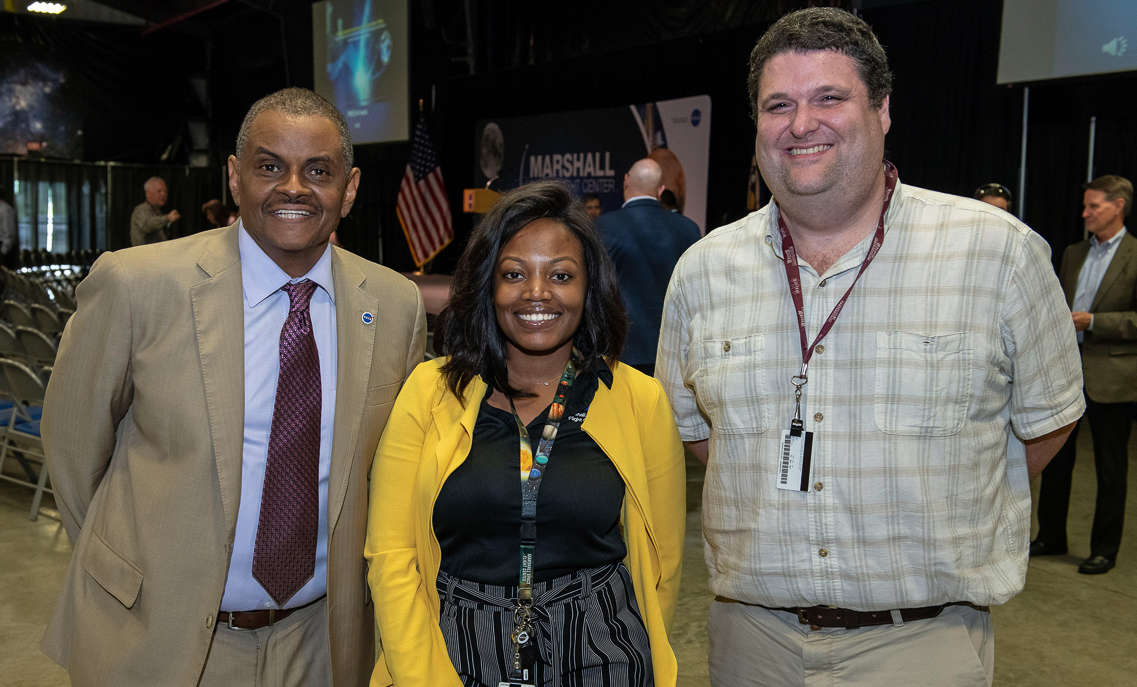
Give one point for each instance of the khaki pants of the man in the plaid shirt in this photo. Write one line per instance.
(752, 647)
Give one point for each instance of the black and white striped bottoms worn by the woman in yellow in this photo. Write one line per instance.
(590, 631)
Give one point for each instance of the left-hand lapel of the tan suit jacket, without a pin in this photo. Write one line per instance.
(219, 319)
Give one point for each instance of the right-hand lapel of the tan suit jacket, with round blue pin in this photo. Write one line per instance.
(354, 351)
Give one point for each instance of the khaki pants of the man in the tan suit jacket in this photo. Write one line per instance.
(293, 653)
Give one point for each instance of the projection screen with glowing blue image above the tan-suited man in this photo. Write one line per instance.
(361, 65)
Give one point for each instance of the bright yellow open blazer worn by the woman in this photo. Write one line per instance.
(427, 438)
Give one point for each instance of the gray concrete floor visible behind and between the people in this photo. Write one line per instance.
(1065, 630)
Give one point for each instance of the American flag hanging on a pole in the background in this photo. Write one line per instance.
(424, 210)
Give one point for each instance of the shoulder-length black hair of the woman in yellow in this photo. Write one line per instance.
(468, 330)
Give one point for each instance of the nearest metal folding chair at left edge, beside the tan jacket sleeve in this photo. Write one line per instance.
(23, 436)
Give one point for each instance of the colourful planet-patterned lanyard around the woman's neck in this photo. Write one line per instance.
(533, 469)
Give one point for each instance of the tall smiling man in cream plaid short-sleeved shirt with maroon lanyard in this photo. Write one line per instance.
(875, 373)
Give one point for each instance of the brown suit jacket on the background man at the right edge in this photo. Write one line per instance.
(1109, 354)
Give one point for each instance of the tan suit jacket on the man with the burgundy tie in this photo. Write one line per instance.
(144, 426)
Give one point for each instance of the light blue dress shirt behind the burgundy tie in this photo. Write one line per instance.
(265, 311)
